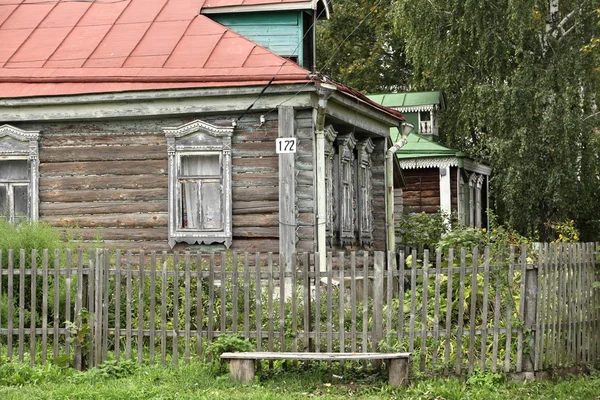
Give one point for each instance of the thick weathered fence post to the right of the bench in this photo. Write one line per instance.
(530, 318)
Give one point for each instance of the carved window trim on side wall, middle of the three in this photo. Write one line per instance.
(346, 188)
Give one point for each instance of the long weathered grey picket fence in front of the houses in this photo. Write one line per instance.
(523, 311)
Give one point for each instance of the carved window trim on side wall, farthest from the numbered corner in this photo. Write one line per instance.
(365, 192)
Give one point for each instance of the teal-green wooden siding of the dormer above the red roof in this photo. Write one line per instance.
(280, 32)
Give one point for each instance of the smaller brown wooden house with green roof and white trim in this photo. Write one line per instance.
(437, 177)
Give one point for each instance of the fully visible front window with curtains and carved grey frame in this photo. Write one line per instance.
(199, 183)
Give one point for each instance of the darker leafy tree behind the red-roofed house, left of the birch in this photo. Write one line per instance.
(360, 47)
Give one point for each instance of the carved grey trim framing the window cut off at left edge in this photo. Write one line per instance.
(18, 144)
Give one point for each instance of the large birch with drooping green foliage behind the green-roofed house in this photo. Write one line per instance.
(521, 94)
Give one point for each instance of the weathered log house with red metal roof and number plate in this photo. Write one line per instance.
(148, 124)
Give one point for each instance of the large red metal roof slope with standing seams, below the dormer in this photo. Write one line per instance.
(53, 47)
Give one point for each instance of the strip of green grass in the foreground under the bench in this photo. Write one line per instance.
(129, 381)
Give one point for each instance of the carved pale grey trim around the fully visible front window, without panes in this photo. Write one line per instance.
(192, 139)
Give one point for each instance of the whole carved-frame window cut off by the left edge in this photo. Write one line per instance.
(19, 171)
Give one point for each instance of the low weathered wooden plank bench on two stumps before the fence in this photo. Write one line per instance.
(242, 364)
